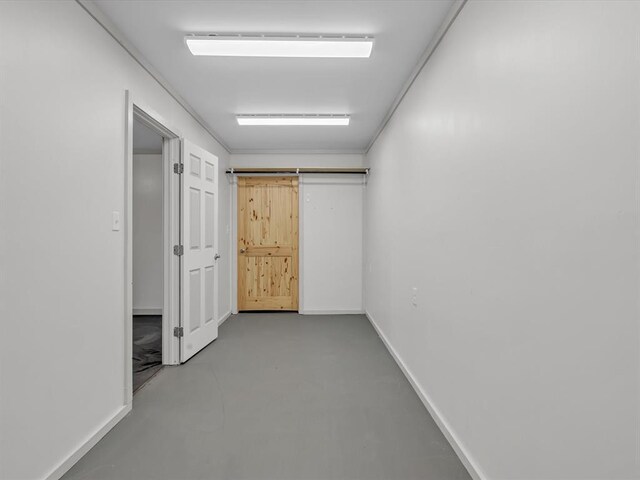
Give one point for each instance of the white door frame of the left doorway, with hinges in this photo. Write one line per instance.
(137, 109)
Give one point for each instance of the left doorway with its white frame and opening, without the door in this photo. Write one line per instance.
(152, 222)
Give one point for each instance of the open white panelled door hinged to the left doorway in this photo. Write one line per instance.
(199, 271)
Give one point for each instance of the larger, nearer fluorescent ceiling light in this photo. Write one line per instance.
(280, 46)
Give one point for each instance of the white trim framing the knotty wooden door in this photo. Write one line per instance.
(233, 207)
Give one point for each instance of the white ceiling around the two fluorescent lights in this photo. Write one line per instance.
(218, 88)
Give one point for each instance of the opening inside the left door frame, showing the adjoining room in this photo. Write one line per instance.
(147, 249)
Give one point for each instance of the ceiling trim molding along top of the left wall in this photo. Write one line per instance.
(105, 22)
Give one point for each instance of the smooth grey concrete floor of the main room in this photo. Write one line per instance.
(278, 396)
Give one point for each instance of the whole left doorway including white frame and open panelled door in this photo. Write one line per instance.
(174, 254)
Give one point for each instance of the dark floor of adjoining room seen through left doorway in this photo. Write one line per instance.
(147, 348)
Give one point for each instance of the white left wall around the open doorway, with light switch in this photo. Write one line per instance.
(63, 80)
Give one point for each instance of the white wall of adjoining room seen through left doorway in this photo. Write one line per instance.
(148, 258)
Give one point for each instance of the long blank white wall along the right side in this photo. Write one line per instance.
(505, 189)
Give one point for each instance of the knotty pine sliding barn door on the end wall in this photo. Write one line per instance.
(267, 243)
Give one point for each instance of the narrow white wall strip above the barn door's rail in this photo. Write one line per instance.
(292, 160)
